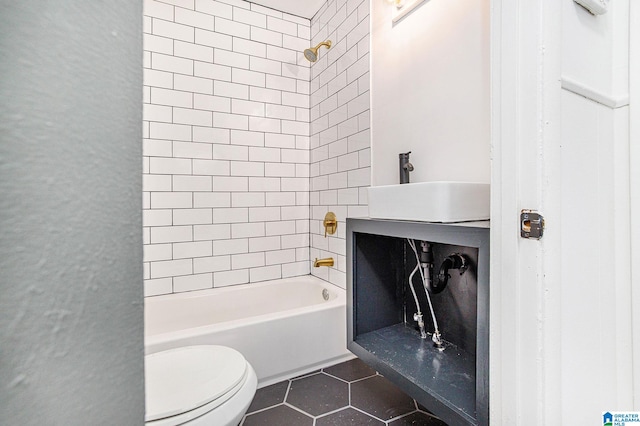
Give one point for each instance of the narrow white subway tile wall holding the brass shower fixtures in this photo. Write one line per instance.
(339, 128)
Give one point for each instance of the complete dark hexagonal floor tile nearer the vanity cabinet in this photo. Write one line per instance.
(380, 398)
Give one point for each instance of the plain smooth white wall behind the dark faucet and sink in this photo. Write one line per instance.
(430, 91)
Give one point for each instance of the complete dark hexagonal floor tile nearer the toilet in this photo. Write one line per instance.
(318, 394)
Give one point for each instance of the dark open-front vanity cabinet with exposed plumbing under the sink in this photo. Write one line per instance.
(451, 381)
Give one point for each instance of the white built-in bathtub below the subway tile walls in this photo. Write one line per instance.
(284, 328)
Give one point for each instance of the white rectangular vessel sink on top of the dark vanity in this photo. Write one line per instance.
(444, 201)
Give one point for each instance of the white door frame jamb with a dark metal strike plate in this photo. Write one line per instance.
(525, 130)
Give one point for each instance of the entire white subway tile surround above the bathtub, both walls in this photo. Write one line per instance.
(245, 145)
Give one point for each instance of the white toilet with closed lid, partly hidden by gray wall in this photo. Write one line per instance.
(198, 385)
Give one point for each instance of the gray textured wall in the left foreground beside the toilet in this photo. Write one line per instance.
(70, 213)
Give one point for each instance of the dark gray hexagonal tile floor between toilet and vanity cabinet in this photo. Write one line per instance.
(349, 393)
